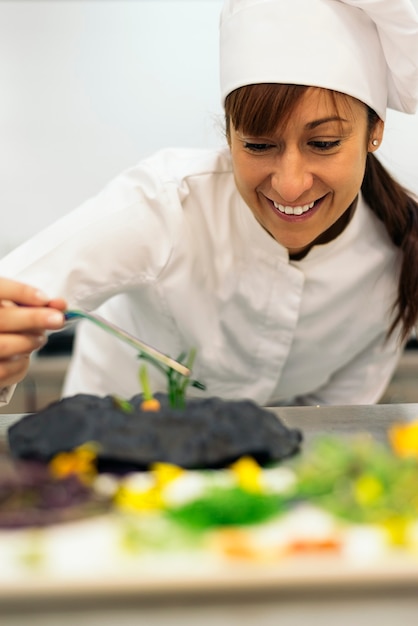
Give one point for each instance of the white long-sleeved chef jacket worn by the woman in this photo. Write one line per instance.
(170, 252)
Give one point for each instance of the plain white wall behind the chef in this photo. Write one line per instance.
(88, 87)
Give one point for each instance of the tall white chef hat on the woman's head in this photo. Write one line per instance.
(367, 49)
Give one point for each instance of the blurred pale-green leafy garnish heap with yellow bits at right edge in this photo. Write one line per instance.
(359, 480)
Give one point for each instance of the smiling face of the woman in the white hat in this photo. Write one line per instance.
(300, 178)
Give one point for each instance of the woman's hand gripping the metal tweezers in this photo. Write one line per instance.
(25, 316)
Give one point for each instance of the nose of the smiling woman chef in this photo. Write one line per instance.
(291, 177)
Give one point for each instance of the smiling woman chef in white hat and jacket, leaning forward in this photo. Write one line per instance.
(288, 260)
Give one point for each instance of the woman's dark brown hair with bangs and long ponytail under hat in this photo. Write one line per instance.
(256, 110)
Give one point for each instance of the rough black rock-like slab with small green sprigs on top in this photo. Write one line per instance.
(208, 433)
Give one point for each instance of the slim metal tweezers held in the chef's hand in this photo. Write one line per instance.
(74, 314)
